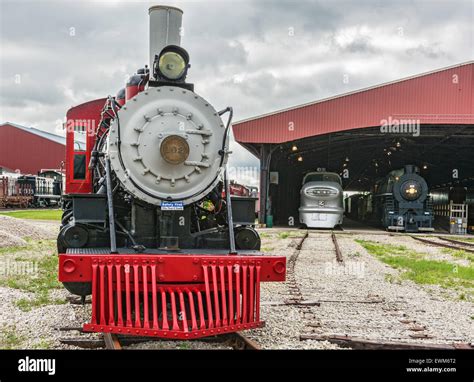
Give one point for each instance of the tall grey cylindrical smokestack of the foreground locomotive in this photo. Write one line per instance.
(165, 27)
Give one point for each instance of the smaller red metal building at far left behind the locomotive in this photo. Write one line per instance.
(28, 150)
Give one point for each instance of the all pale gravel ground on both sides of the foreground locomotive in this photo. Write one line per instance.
(356, 297)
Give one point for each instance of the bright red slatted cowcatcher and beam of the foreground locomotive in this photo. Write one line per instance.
(147, 295)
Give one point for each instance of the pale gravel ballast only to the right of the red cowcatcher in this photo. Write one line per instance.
(358, 301)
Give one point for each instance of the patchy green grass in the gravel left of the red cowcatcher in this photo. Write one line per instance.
(37, 276)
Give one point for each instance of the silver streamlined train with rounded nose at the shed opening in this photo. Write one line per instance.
(321, 200)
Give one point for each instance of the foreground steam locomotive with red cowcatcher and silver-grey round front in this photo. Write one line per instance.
(148, 226)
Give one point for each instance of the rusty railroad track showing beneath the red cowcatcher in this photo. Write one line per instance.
(111, 341)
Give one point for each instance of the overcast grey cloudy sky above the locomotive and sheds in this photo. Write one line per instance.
(257, 56)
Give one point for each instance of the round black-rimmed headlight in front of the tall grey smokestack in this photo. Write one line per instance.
(173, 63)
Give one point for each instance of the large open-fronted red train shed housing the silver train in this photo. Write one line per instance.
(426, 120)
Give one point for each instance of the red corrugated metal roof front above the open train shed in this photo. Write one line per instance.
(442, 96)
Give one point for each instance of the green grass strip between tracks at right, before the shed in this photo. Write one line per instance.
(422, 271)
